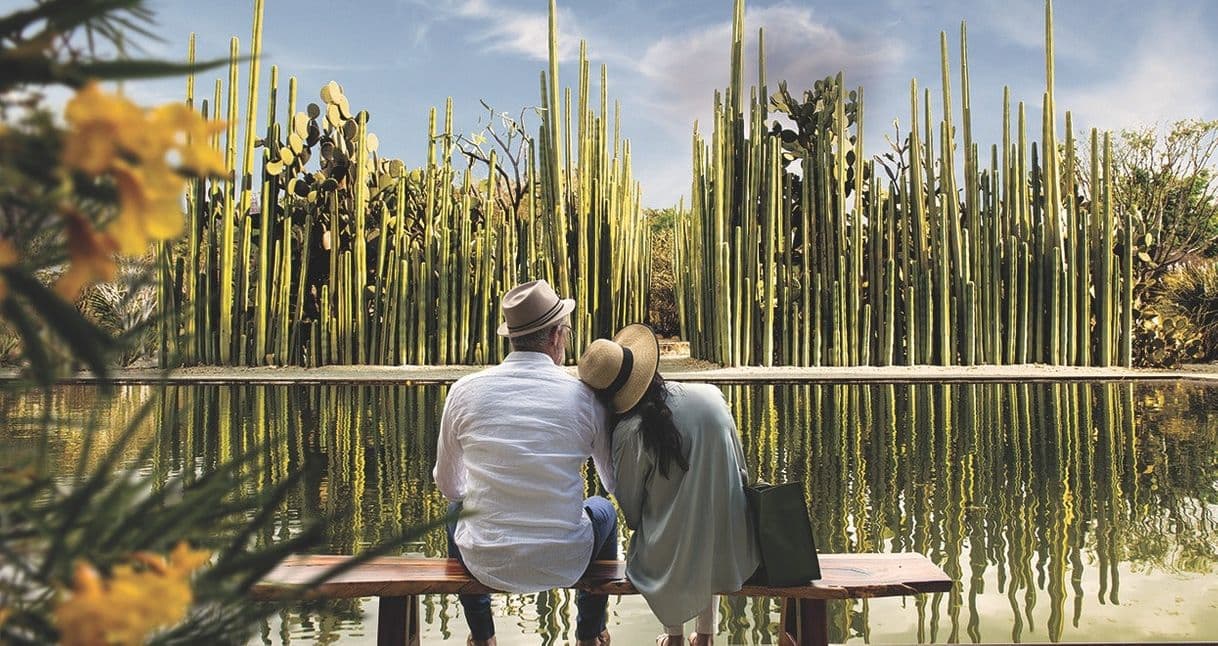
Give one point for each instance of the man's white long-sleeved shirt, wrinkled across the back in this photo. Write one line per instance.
(513, 442)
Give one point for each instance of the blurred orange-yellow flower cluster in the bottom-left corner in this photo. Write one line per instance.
(132, 604)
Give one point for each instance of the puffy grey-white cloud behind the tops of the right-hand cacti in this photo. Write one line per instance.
(685, 70)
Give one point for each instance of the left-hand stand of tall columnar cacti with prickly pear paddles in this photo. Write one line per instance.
(350, 258)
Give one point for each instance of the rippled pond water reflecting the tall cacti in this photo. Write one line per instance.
(1075, 513)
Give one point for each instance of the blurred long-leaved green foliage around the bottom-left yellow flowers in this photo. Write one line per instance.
(103, 515)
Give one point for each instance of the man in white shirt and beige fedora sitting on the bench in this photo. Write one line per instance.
(513, 442)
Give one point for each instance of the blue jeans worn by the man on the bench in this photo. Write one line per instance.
(591, 619)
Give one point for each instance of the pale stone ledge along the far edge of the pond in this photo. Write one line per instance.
(679, 370)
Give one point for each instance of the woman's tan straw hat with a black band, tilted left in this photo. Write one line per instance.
(624, 367)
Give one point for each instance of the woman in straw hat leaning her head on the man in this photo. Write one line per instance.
(680, 484)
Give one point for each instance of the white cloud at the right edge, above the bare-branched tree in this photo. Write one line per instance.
(1171, 74)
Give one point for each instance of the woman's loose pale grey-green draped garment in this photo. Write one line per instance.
(692, 532)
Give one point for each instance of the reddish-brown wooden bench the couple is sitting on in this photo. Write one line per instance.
(400, 581)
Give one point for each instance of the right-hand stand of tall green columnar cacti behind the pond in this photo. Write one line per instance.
(800, 249)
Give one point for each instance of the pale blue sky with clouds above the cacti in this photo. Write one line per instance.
(1120, 63)
